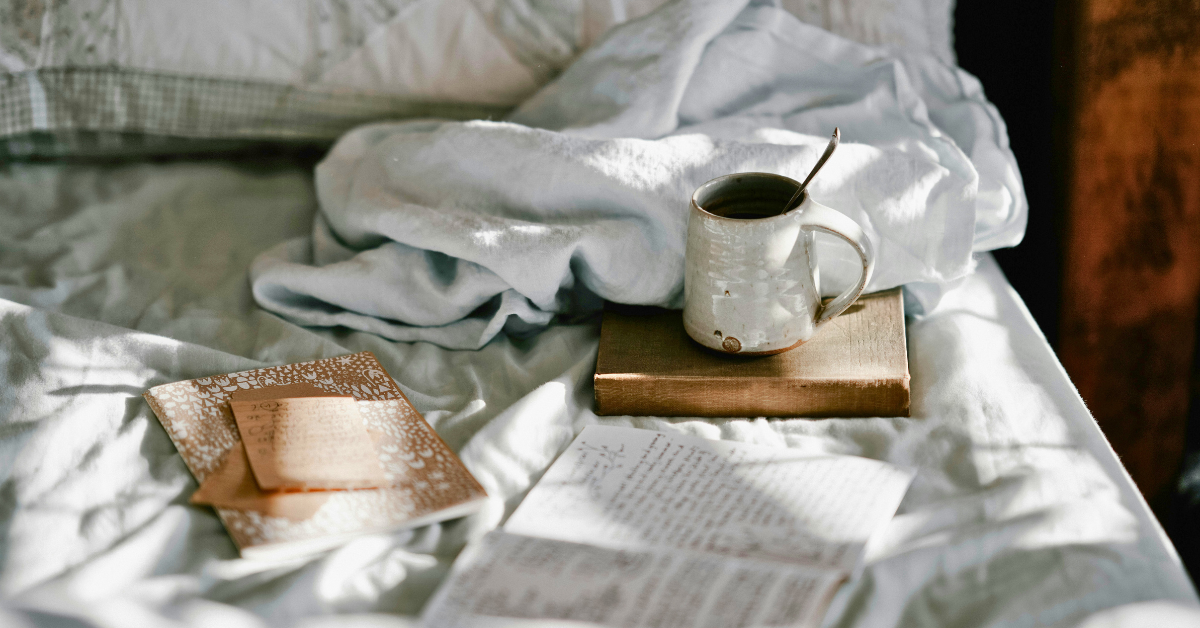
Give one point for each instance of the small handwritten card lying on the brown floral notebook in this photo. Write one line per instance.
(308, 444)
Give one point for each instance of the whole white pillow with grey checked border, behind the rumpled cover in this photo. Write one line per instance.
(100, 76)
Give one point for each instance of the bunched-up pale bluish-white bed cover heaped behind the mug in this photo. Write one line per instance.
(451, 232)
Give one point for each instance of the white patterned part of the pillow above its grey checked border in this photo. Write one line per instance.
(495, 52)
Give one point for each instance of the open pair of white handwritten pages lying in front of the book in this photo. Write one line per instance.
(635, 528)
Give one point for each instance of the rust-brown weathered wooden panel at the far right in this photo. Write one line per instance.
(1132, 256)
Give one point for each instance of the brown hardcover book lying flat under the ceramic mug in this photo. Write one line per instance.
(856, 366)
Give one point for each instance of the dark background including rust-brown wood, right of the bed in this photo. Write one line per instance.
(1103, 104)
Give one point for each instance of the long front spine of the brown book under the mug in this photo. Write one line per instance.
(700, 397)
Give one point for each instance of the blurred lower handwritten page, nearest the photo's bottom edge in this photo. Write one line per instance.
(523, 578)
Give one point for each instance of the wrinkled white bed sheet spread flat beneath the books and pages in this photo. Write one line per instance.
(118, 279)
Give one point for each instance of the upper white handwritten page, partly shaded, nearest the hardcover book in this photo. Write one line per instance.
(627, 488)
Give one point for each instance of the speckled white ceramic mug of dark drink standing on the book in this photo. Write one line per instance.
(752, 284)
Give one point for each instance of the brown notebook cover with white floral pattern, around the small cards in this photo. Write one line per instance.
(428, 483)
